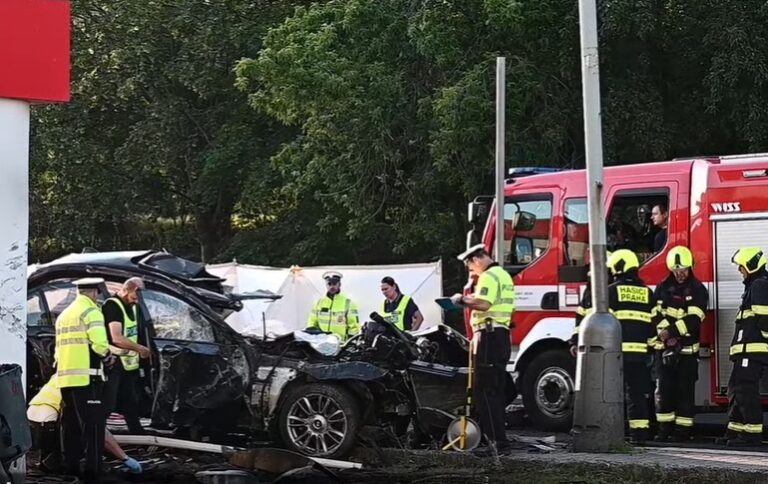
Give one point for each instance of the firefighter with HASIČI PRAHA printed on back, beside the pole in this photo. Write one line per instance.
(631, 302)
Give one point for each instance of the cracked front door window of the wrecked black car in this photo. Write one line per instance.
(176, 319)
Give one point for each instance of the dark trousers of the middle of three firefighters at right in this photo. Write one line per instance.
(677, 387)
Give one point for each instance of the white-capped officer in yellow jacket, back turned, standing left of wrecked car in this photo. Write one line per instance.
(80, 354)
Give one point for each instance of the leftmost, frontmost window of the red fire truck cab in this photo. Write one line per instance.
(526, 230)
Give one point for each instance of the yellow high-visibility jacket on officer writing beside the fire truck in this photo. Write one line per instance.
(495, 286)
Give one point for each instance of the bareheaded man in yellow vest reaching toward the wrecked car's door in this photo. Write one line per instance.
(121, 392)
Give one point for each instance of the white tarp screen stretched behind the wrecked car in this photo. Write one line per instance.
(301, 287)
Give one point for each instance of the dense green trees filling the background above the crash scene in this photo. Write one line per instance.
(355, 131)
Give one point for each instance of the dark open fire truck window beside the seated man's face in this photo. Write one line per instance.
(629, 223)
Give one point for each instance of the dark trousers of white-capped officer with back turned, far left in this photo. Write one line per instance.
(82, 427)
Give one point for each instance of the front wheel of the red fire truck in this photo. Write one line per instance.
(548, 390)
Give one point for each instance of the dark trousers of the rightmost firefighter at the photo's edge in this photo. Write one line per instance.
(745, 414)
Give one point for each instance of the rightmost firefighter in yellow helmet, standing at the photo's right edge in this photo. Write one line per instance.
(749, 351)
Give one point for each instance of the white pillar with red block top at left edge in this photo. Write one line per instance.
(34, 61)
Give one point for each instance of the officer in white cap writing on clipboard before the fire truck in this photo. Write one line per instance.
(492, 304)
